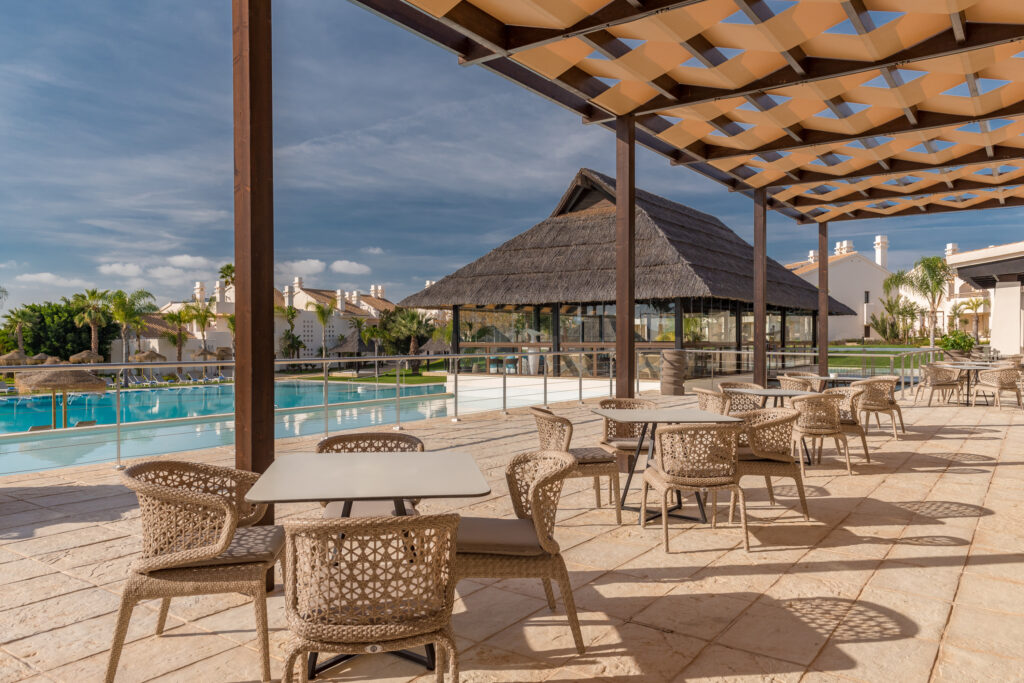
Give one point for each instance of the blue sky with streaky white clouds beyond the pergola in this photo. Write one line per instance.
(393, 163)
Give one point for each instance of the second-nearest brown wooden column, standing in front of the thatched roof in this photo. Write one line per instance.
(625, 255)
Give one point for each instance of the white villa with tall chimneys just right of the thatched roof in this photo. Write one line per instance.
(855, 280)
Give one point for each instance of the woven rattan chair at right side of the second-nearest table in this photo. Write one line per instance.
(770, 434)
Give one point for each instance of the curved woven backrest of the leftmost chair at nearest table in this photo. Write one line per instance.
(189, 510)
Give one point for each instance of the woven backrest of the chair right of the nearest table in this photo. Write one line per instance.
(535, 482)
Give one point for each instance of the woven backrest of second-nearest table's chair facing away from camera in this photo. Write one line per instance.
(699, 454)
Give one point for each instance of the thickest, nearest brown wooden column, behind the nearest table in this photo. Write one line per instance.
(253, 237)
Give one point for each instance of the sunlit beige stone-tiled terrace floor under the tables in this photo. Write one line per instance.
(911, 571)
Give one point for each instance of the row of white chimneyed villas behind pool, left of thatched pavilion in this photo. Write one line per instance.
(350, 306)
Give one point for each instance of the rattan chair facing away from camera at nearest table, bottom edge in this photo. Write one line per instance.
(371, 585)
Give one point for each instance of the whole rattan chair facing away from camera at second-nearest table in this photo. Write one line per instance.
(700, 458)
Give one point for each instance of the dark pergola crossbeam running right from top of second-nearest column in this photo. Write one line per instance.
(818, 69)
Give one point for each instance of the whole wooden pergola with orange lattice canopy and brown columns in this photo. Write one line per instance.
(821, 110)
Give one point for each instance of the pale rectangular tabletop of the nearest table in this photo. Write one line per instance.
(302, 478)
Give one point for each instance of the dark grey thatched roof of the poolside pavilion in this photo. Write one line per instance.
(571, 258)
